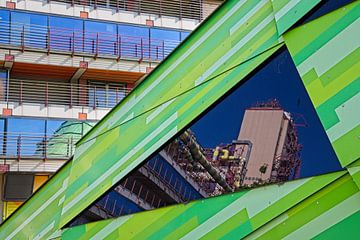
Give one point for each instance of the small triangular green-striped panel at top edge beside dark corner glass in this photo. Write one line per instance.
(288, 12)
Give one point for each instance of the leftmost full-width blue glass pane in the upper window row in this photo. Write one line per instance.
(29, 29)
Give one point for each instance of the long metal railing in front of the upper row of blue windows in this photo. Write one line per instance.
(84, 43)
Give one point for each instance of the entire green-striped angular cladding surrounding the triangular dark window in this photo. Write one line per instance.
(225, 49)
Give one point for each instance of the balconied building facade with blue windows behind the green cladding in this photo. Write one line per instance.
(64, 65)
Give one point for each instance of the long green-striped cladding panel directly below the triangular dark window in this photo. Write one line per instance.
(230, 216)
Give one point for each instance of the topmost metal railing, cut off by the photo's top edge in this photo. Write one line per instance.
(189, 9)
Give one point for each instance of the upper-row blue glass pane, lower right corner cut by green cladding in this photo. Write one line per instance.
(163, 42)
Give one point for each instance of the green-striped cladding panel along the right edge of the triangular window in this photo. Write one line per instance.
(326, 52)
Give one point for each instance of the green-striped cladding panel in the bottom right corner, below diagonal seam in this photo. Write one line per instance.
(321, 211)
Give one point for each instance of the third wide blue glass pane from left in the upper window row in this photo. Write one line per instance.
(100, 38)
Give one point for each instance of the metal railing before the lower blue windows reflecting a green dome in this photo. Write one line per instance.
(37, 146)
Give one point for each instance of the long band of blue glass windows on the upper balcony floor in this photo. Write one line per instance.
(87, 36)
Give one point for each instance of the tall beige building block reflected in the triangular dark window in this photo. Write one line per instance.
(275, 154)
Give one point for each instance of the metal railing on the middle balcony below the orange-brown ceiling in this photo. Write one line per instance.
(51, 93)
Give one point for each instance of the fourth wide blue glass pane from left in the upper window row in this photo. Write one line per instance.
(134, 41)
